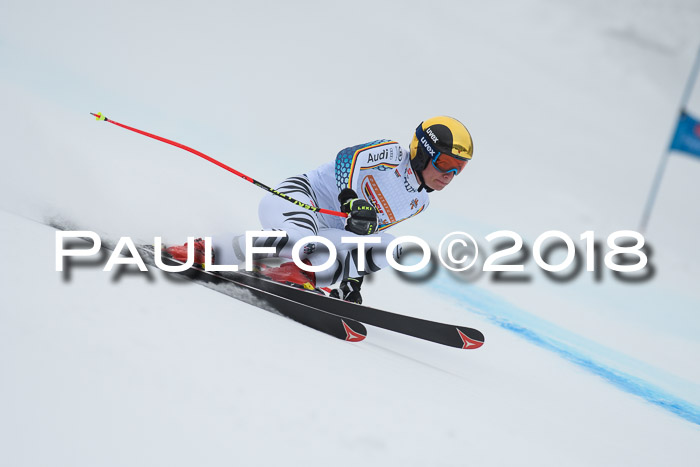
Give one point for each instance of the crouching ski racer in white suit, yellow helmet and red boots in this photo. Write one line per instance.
(378, 185)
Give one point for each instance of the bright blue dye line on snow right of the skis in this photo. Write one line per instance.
(571, 347)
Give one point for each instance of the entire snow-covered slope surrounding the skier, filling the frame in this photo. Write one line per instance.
(571, 105)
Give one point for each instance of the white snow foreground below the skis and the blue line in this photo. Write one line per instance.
(109, 369)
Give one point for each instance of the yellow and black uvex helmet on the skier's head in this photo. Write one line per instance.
(441, 136)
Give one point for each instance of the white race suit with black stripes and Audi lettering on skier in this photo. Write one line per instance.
(379, 172)
